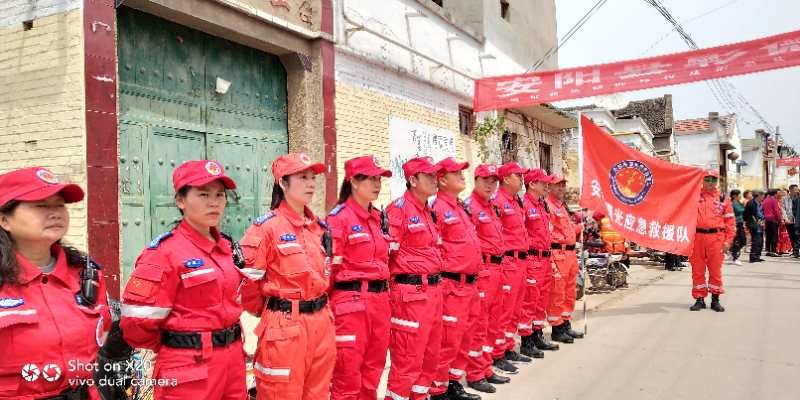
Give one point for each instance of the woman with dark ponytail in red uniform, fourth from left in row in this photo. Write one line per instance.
(360, 297)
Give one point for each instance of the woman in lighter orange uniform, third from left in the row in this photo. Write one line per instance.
(296, 338)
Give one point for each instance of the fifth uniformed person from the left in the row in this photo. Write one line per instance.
(416, 299)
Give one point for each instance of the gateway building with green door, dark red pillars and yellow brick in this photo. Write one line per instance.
(115, 97)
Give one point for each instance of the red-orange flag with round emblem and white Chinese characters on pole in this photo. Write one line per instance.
(649, 201)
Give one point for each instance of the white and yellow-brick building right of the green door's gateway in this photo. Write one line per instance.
(404, 81)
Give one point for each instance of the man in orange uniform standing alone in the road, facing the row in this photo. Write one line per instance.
(716, 228)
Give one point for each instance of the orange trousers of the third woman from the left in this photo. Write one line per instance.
(295, 355)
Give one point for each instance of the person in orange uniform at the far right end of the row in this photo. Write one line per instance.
(564, 235)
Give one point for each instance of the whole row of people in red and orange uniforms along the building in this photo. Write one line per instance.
(442, 283)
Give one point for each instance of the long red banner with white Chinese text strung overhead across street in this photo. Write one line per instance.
(513, 91)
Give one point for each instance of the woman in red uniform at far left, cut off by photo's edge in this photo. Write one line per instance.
(53, 310)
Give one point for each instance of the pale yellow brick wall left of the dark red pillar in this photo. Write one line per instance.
(42, 106)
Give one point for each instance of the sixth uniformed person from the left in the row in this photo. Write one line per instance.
(459, 280)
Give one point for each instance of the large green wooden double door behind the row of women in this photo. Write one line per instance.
(170, 112)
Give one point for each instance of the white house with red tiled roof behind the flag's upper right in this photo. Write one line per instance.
(711, 143)
